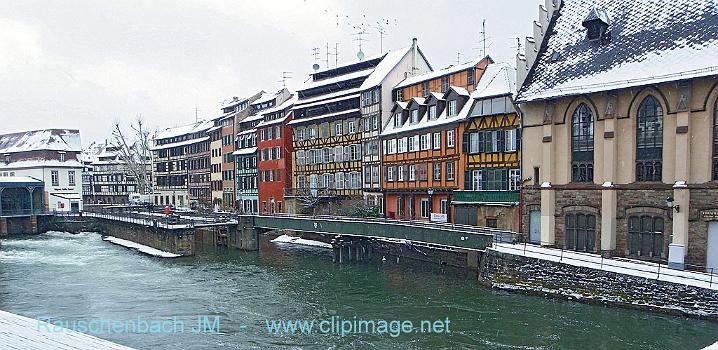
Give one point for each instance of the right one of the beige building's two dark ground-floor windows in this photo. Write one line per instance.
(645, 234)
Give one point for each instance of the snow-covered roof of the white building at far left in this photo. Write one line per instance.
(37, 140)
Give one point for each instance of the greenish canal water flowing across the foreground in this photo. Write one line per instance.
(70, 278)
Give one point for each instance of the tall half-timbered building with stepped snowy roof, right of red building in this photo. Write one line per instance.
(337, 120)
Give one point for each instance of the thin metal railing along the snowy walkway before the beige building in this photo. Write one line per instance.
(658, 268)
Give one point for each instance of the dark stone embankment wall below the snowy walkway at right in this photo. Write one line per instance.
(546, 278)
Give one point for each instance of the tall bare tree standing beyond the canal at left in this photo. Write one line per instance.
(133, 149)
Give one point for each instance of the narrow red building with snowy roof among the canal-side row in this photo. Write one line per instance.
(274, 150)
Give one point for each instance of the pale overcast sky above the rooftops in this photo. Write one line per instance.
(85, 64)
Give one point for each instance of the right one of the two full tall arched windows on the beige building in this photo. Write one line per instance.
(649, 140)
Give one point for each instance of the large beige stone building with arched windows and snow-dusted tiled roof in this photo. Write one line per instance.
(621, 150)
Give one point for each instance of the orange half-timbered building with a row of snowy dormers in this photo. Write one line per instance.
(421, 155)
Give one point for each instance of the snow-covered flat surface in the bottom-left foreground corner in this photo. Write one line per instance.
(22, 333)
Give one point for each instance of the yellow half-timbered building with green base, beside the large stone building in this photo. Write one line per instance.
(491, 154)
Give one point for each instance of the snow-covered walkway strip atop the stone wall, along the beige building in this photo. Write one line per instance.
(618, 265)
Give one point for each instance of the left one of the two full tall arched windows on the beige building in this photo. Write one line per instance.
(582, 145)
